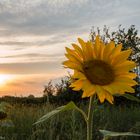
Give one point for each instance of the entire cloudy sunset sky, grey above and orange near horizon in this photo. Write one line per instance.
(34, 33)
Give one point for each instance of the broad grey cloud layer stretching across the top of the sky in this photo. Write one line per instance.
(47, 17)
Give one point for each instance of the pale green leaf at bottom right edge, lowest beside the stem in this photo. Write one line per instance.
(116, 134)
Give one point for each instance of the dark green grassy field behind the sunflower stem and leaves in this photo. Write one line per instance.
(69, 125)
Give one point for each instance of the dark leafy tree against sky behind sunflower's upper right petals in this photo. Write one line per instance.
(128, 37)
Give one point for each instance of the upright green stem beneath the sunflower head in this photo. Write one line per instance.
(90, 119)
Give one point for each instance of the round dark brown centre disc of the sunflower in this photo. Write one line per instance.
(98, 72)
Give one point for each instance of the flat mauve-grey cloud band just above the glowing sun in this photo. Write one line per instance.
(32, 67)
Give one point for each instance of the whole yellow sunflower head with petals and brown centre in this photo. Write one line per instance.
(100, 68)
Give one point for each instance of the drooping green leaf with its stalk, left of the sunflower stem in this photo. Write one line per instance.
(71, 105)
